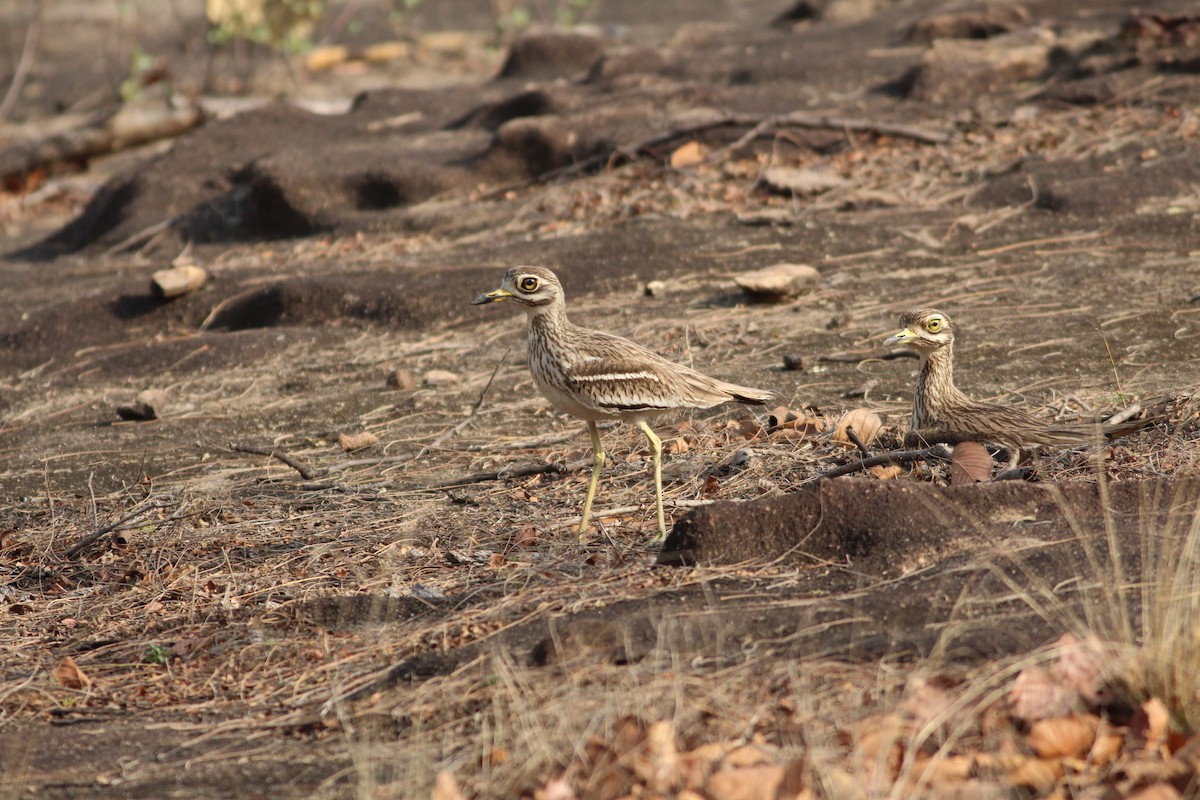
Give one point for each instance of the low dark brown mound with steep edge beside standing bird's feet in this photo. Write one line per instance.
(881, 525)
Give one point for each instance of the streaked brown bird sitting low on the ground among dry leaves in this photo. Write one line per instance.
(943, 413)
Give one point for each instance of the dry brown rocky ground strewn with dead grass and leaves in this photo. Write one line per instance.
(226, 603)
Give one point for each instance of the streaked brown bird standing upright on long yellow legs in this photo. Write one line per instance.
(597, 376)
